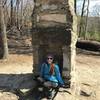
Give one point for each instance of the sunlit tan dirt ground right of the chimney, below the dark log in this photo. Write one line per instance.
(88, 68)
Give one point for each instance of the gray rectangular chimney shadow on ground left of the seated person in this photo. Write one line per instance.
(16, 81)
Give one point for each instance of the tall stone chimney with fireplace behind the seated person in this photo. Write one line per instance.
(54, 31)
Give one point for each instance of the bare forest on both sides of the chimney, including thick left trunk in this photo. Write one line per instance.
(16, 15)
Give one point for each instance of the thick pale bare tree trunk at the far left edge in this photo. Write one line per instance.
(3, 32)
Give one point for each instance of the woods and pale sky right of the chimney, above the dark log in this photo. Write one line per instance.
(88, 13)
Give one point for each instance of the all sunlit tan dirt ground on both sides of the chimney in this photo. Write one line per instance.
(88, 67)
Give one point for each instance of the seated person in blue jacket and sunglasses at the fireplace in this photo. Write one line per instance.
(50, 75)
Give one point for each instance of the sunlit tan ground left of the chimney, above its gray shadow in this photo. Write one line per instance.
(16, 64)
